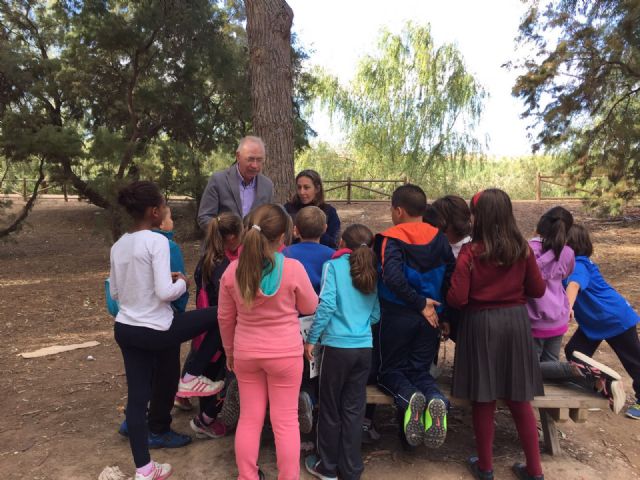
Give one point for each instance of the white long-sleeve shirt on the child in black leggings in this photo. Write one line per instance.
(140, 280)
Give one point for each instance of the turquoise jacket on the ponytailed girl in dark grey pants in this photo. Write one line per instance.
(345, 315)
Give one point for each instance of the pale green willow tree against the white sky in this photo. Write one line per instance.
(411, 107)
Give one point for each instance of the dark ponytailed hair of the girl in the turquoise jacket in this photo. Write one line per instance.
(362, 261)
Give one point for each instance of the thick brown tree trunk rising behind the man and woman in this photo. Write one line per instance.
(269, 36)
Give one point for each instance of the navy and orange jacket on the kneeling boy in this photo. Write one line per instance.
(415, 262)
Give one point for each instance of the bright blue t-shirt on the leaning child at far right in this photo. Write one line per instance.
(600, 311)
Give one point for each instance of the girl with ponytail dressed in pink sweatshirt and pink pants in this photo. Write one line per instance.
(258, 311)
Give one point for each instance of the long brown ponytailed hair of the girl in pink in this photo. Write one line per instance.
(266, 225)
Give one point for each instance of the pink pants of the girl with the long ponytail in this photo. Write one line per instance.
(276, 380)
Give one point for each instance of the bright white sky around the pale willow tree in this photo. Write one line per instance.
(339, 32)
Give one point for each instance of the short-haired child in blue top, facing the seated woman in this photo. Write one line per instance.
(310, 224)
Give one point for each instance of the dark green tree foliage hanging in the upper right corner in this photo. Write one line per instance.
(581, 84)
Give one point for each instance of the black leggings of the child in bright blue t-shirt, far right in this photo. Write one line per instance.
(626, 346)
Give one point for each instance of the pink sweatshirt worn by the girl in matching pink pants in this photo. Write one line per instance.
(270, 329)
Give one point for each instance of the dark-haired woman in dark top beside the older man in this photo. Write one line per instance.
(310, 192)
